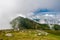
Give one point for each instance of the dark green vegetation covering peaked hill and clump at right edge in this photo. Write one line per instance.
(25, 23)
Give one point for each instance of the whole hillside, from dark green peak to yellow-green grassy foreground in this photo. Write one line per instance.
(29, 30)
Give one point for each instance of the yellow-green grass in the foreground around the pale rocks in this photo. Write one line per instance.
(28, 35)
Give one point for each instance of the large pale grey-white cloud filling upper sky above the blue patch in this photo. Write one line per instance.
(11, 8)
